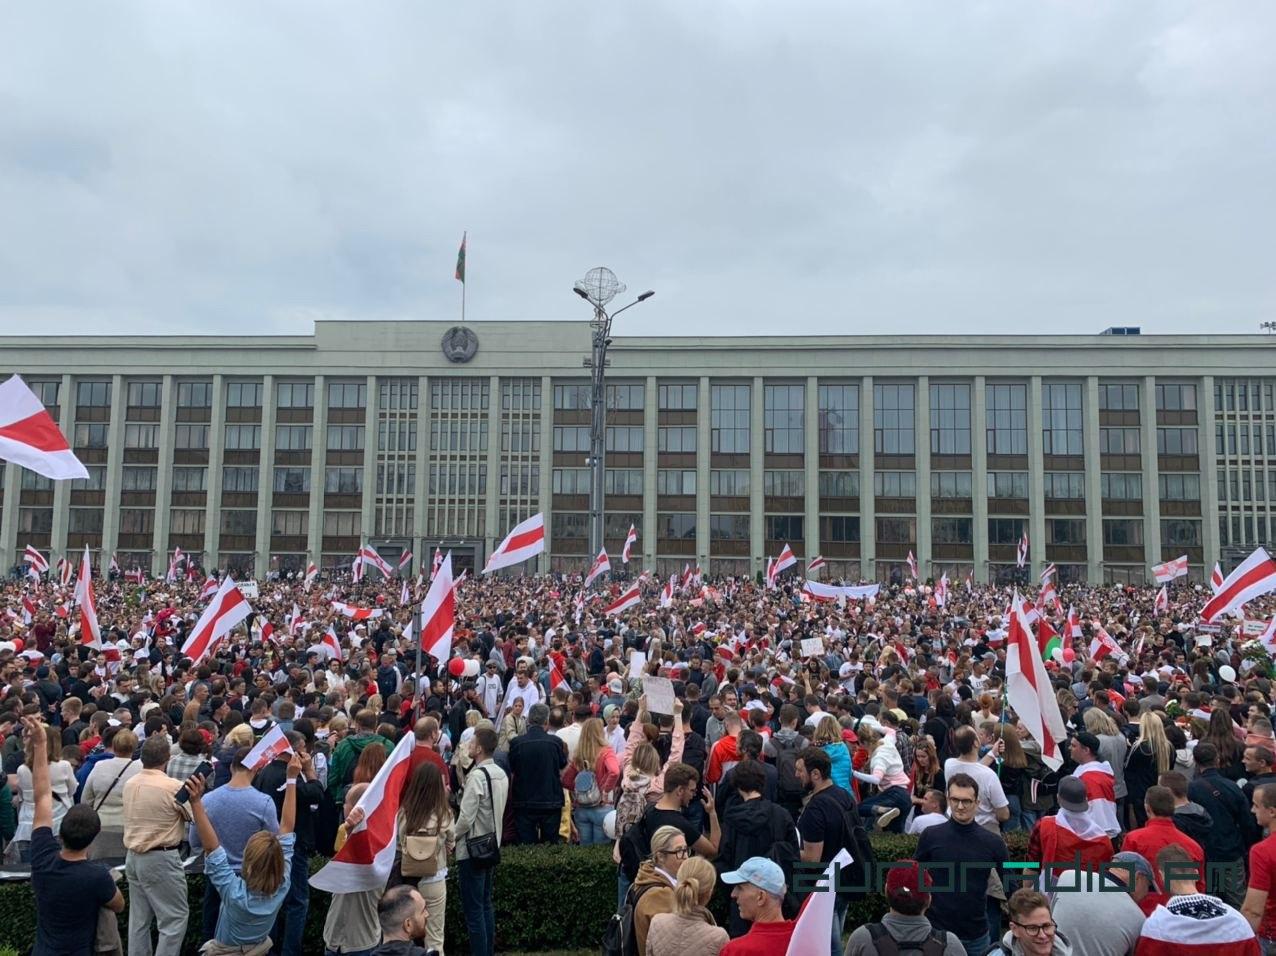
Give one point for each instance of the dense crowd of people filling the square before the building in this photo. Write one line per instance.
(704, 737)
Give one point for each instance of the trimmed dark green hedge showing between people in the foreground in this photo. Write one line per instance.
(547, 898)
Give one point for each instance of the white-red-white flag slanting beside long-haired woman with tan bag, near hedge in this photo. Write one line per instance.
(367, 858)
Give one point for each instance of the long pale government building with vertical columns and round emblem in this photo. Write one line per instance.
(1112, 452)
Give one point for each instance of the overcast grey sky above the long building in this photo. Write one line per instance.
(768, 168)
